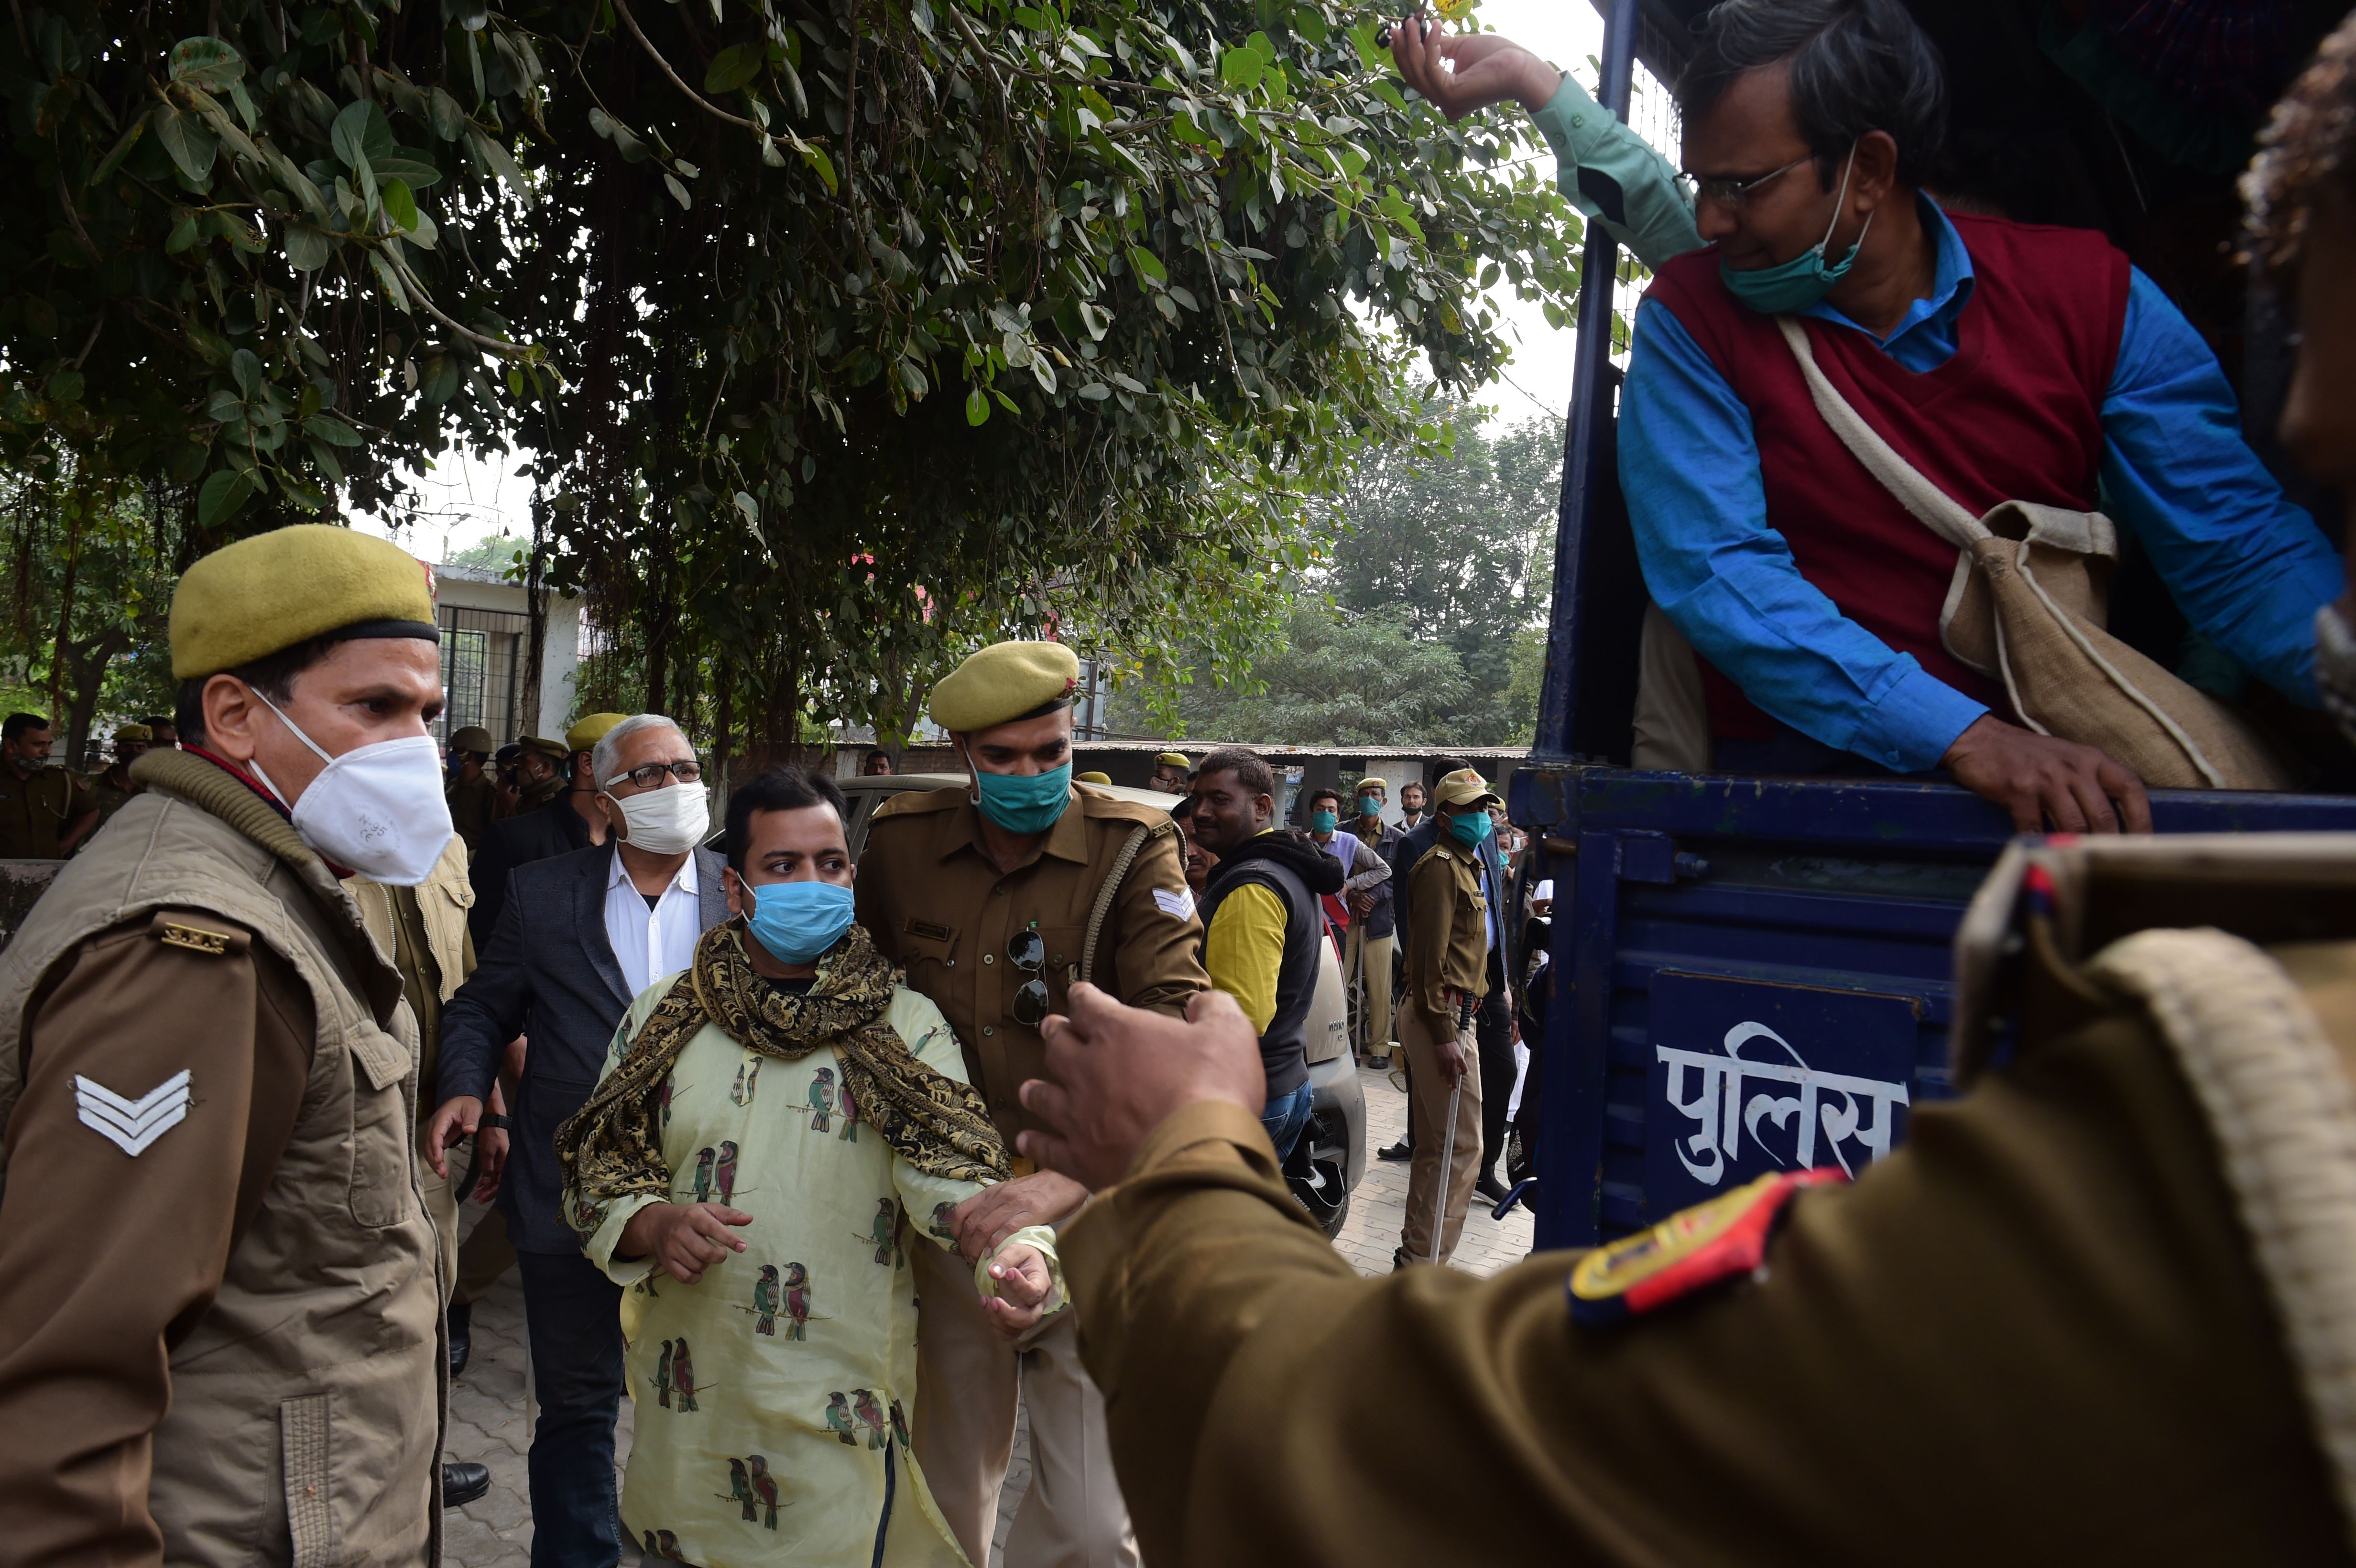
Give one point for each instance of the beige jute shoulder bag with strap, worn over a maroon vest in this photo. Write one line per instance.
(2027, 606)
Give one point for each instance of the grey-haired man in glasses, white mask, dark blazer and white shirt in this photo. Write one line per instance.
(578, 938)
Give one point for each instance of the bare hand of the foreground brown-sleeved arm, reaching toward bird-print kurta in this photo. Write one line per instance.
(1116, 1075)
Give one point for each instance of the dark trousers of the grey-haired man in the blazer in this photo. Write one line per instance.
(574, 1315)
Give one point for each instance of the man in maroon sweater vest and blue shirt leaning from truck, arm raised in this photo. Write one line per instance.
(2001, 361)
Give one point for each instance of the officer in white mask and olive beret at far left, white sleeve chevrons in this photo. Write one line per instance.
(218, 1275)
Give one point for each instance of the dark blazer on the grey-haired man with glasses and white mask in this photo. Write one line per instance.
(550, 974)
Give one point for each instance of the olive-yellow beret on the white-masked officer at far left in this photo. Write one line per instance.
(272, 592)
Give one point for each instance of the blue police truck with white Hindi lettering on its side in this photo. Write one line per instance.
(1754, 974)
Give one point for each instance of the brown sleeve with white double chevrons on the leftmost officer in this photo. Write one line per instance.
(110, 1258)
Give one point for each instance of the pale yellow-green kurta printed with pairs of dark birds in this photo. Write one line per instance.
(774, 1395)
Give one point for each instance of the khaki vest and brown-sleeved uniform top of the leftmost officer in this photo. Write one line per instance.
(223, 1348)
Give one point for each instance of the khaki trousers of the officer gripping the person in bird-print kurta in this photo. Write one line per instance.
(965, 1430)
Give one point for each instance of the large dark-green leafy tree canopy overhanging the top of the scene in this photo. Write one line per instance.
(842, 333)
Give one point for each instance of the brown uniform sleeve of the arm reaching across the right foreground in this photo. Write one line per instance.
(2037, 1322)
